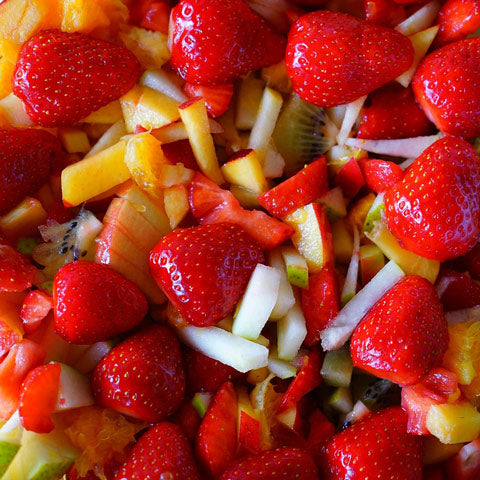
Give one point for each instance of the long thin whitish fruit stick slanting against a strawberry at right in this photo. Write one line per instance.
(343, 325)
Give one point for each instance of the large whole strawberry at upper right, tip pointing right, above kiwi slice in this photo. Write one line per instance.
(324, 74)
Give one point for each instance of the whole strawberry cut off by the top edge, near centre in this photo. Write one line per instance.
(216, 41)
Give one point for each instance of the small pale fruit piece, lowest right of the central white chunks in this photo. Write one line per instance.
(291, 332)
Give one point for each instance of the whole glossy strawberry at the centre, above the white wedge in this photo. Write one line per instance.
(204, 270)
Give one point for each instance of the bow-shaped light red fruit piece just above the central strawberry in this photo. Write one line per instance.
(211, 204)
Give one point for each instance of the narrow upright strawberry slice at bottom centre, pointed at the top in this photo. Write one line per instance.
(216, 442)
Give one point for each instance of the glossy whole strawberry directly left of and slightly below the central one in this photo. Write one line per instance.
(92, 302)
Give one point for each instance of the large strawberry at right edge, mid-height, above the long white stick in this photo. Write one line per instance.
(435, 210)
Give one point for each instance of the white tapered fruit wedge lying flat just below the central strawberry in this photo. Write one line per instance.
(230, 349)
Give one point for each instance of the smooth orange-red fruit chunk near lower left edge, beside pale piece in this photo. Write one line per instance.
(38, 398)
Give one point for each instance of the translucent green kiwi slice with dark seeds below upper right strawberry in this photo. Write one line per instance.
(303, 132)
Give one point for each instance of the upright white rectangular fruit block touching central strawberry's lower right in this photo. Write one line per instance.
(257, 302)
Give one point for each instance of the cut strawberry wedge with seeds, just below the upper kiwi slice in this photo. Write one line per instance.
(303, 188)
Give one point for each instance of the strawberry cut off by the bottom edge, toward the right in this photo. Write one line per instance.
(377, 446)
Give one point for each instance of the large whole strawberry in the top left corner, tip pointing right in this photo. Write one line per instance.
(63, 77)
